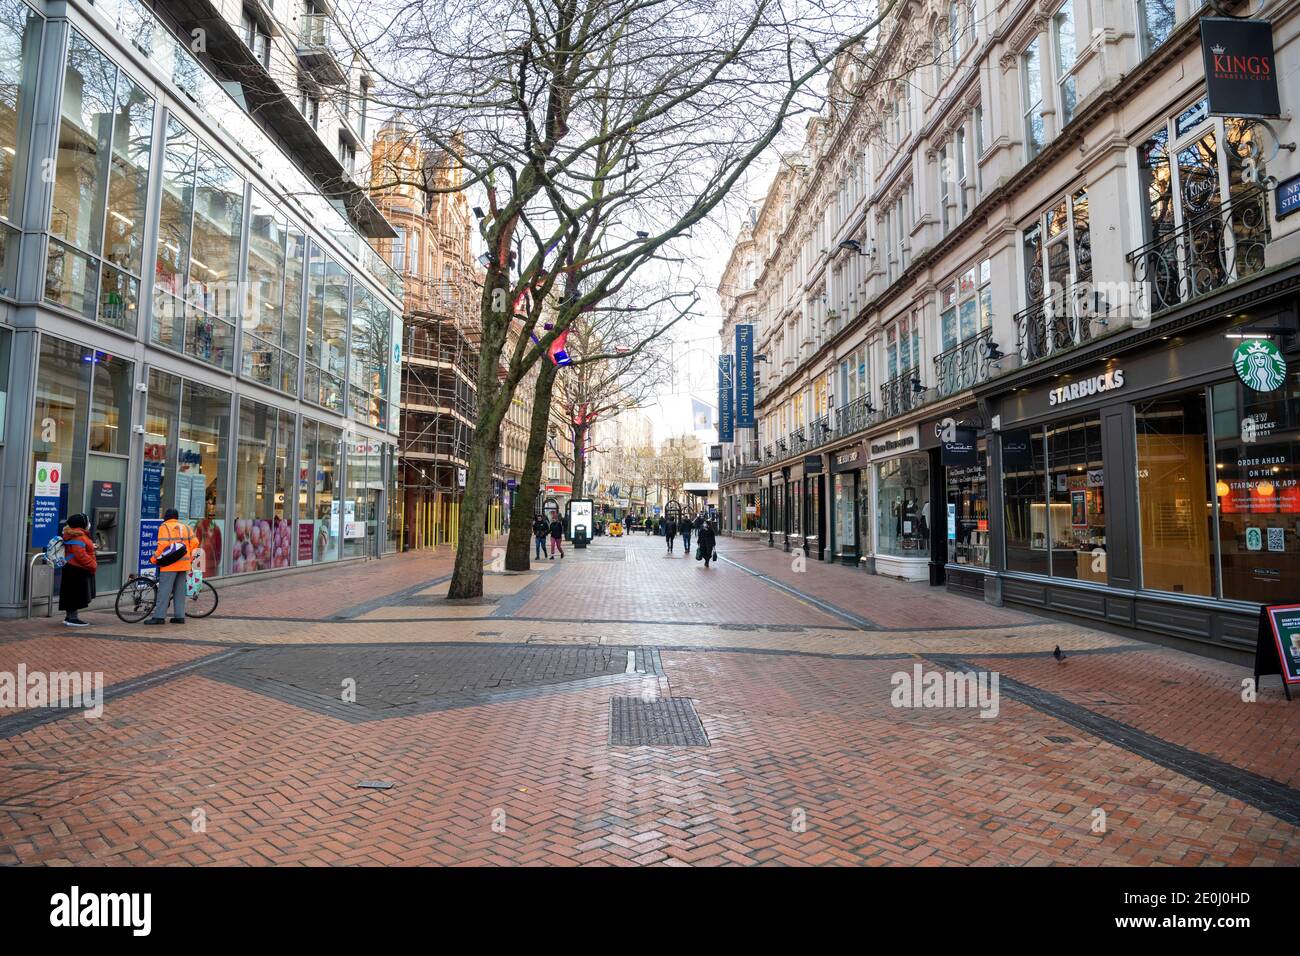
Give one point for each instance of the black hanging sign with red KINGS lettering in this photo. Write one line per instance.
(1241, 72)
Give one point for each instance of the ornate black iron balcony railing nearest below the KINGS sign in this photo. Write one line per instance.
(1206, 253)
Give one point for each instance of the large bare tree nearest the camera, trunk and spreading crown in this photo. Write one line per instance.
(600, 132)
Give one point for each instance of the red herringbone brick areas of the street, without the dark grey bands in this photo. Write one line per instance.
(788, 734)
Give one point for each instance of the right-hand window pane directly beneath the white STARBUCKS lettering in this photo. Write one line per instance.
(1078, 503)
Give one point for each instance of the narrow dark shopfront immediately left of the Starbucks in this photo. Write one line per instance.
(960, 535)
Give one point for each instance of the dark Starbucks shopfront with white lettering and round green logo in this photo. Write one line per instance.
(1146, 483)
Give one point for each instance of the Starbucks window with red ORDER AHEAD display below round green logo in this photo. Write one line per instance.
(1258, 490)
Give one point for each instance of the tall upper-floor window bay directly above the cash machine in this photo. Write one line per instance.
(102, 171)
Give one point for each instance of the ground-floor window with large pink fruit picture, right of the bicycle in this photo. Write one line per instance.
(263, 535)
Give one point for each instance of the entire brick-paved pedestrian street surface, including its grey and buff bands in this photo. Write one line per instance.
(493, 723)
